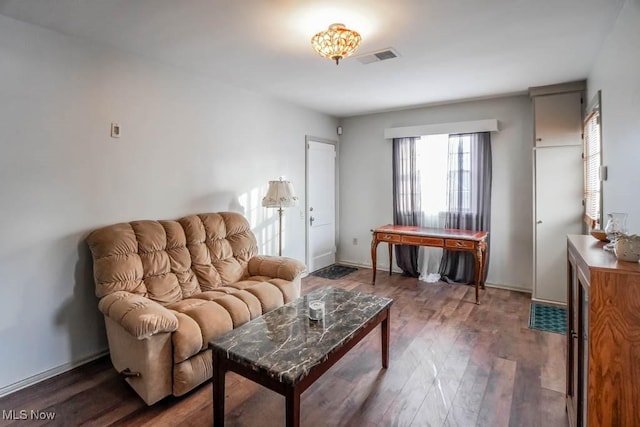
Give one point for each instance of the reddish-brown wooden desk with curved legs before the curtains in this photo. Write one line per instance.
(448, 238)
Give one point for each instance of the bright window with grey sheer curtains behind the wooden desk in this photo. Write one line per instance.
(441, 181)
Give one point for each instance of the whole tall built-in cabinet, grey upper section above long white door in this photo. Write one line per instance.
(557, 177)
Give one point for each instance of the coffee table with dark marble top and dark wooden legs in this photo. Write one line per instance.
(286, 352)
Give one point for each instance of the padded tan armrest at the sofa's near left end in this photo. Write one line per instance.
(139, 316)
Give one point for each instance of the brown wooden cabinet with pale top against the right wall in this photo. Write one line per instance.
(603, 336)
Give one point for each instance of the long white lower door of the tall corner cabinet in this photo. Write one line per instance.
(558, 212)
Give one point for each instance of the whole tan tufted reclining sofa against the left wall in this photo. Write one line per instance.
(167, 288)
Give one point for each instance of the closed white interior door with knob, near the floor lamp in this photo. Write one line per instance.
(321, 204)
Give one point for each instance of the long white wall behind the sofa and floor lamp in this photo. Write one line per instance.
(188, 145)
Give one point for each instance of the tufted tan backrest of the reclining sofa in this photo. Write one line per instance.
(167, 261)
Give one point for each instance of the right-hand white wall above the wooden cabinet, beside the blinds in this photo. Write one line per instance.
(617, 73)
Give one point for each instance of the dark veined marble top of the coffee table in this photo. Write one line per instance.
(285, 344)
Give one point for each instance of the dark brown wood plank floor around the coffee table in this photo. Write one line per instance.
(452, 363)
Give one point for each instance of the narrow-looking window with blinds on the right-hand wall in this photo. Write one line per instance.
(592, 161)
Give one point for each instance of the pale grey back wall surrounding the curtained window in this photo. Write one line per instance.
(366, 173)
